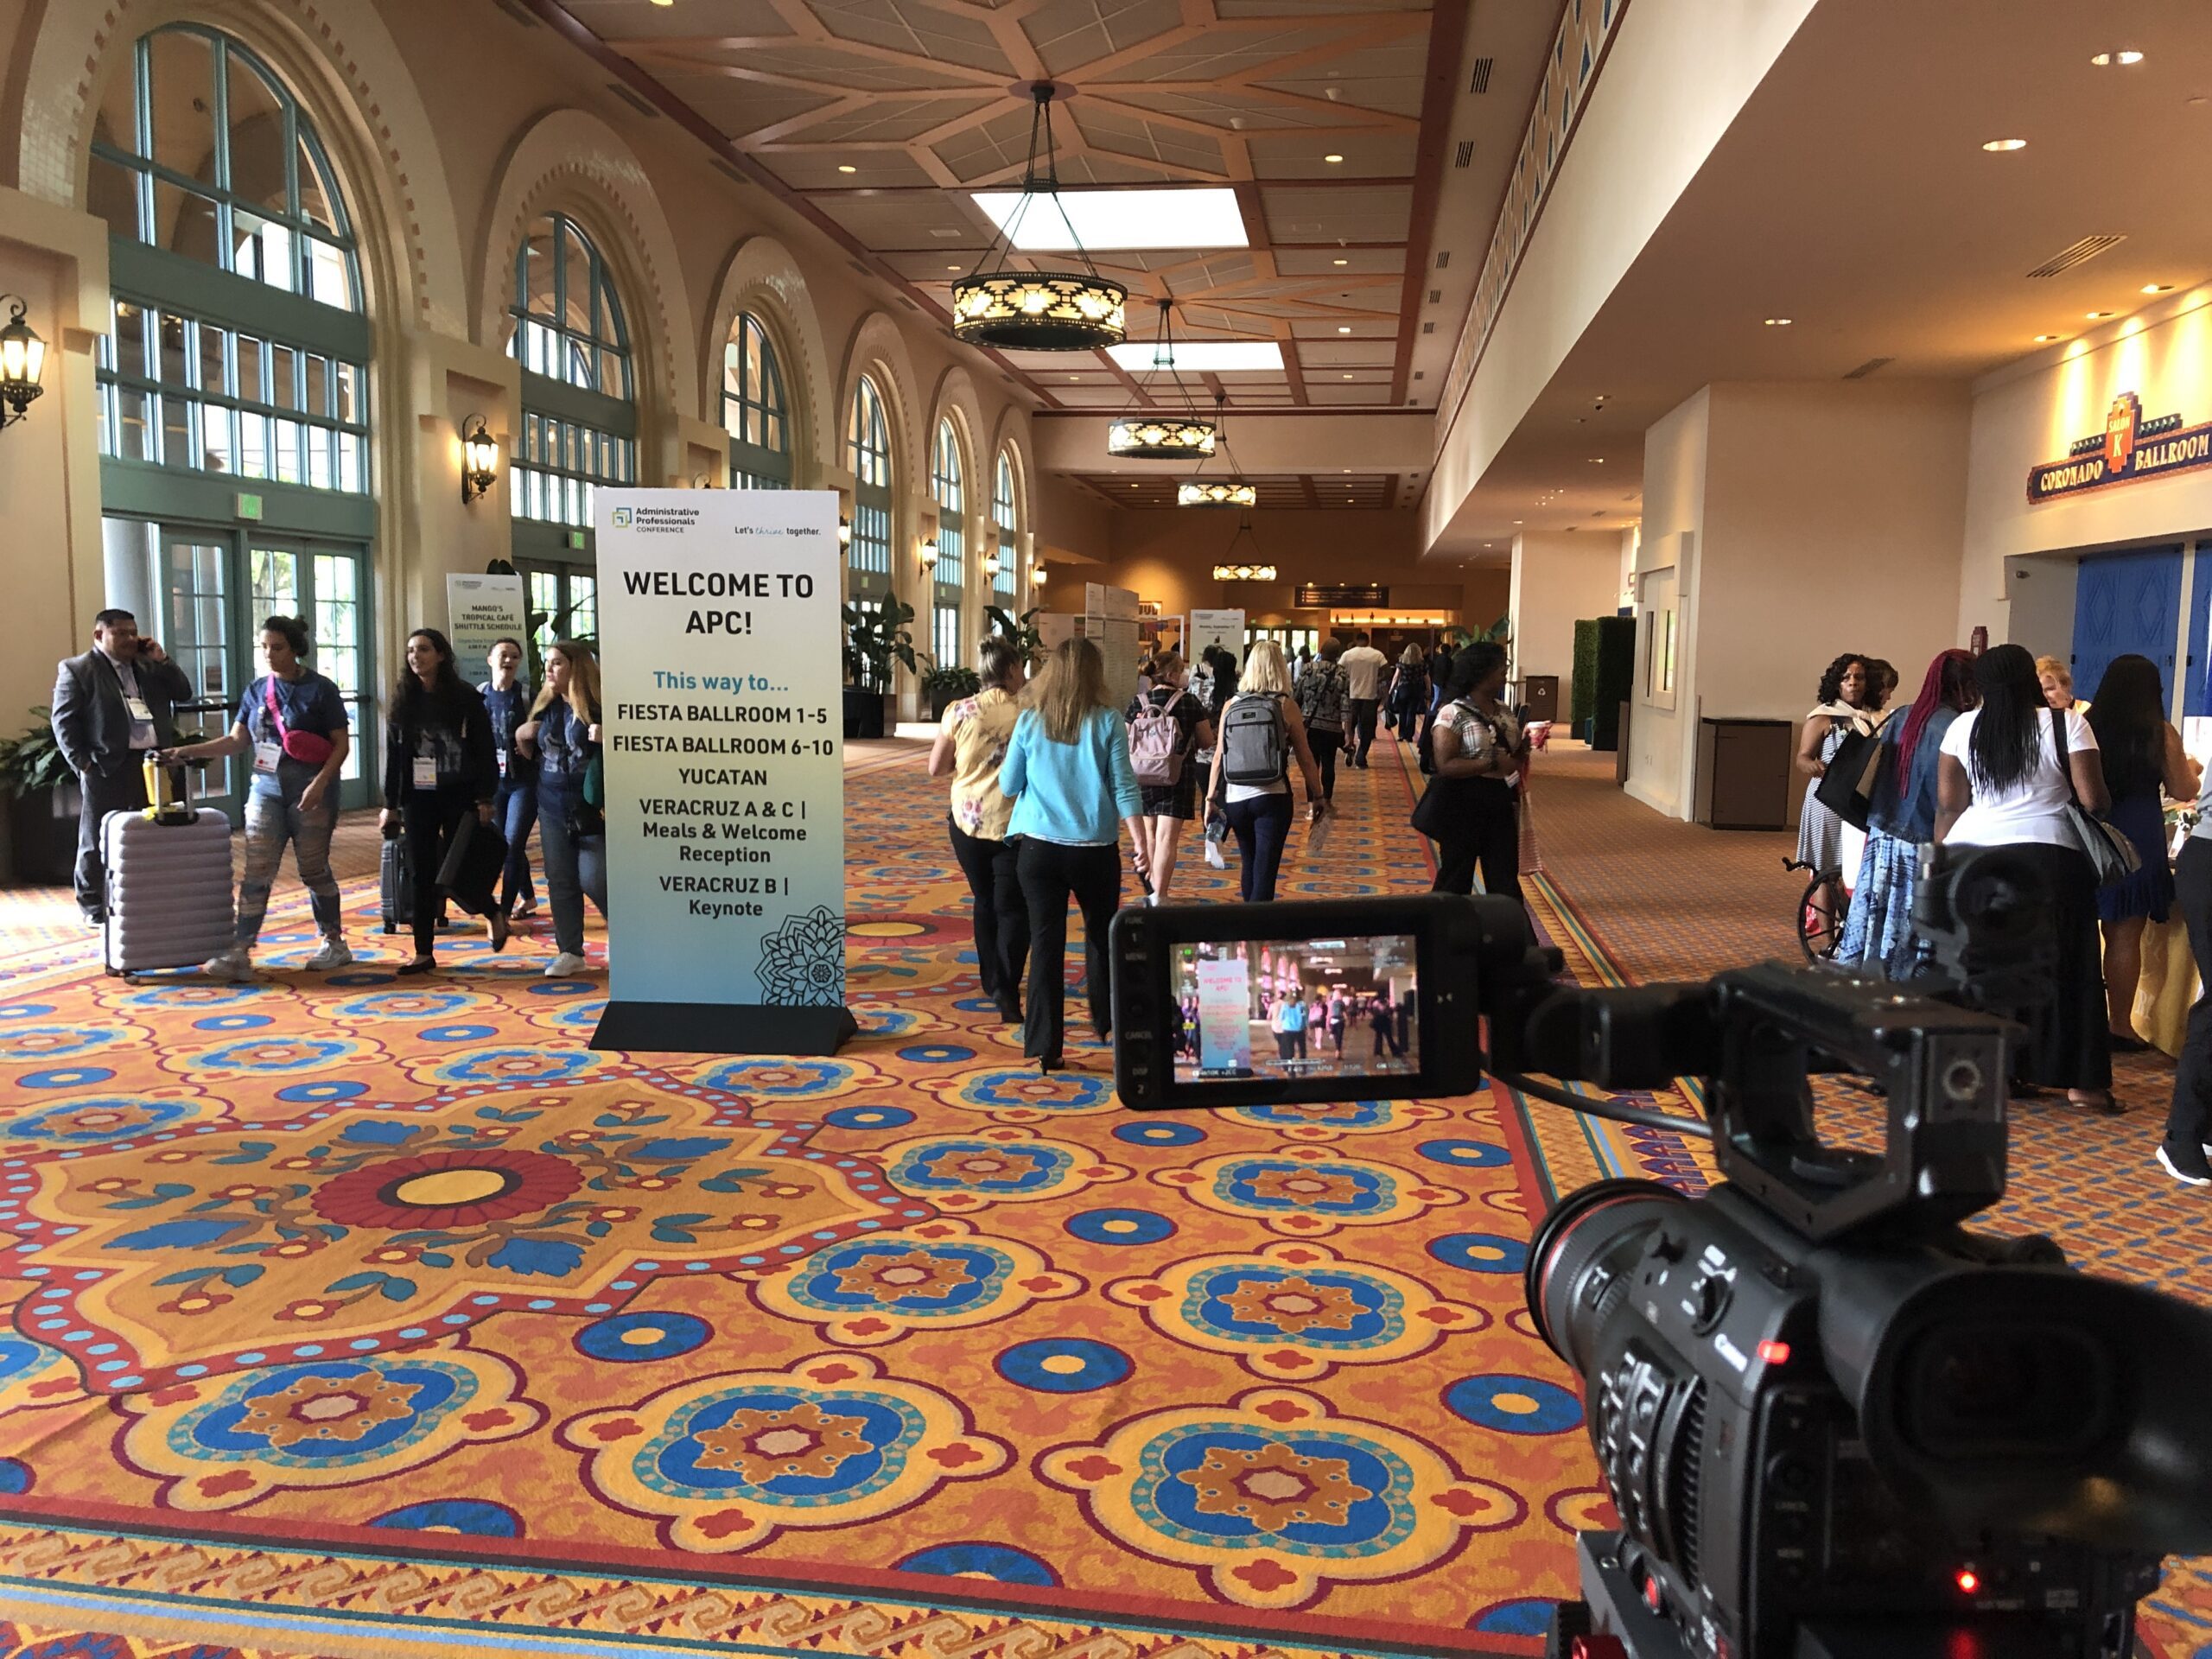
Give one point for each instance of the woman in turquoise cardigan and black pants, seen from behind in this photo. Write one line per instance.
(1072, 784)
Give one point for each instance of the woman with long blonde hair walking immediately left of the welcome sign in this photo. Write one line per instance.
(572, 797)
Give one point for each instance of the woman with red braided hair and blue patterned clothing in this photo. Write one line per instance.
(1901, 820)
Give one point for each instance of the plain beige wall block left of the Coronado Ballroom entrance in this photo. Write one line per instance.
(1824, 519)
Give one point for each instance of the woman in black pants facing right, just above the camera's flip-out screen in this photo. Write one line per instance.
(1479, 760)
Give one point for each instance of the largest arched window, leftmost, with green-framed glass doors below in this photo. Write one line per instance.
(233, 395)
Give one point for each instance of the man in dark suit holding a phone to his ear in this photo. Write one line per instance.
(109, 709)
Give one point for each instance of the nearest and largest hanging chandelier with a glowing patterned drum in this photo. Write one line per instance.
(1039, 311)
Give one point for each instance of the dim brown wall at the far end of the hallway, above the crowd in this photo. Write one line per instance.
(1169, 556)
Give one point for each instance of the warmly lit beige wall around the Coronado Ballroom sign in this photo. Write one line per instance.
(2030, 415)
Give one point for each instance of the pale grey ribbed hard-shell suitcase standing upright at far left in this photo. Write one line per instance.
(169, 884)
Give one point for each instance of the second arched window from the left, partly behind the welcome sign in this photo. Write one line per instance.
(578, 419)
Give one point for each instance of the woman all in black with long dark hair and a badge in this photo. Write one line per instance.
(439, 769)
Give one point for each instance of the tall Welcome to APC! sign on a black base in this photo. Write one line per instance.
(724, 771)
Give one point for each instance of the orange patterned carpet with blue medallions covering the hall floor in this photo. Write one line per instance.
(384, 1317)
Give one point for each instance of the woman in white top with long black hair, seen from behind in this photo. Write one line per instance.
(2003, 784)
